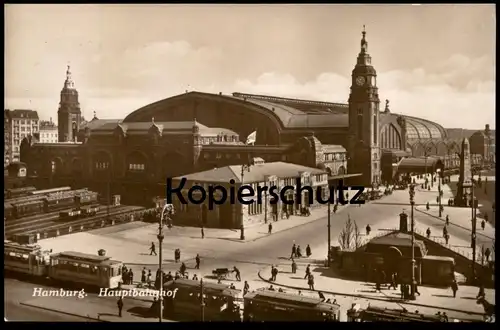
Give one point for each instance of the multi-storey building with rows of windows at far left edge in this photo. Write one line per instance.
(18, 124)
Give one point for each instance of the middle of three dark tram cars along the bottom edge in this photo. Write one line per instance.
(265, 305)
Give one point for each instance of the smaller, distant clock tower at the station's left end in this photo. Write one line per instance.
(69, 115)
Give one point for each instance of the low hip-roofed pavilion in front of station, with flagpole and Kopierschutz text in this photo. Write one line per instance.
(234, 215)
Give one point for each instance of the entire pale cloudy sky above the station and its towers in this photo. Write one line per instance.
(433, 61)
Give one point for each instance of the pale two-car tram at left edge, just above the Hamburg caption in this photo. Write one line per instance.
(65, 267)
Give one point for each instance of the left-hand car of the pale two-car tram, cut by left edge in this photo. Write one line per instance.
(26, 259)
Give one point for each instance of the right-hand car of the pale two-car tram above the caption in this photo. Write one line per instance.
(88, 269)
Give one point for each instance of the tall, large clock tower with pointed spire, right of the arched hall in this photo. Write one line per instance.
(364, 133)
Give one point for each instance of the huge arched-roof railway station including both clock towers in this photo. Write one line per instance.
(361, 140)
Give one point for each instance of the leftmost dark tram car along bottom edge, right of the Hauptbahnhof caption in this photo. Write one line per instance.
(221, 302)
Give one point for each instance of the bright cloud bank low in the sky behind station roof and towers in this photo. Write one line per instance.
(458, 92)
